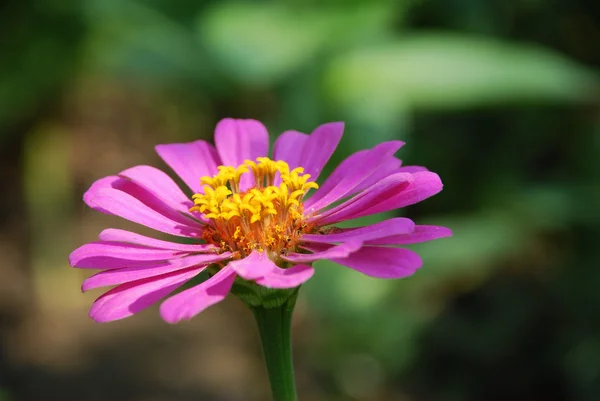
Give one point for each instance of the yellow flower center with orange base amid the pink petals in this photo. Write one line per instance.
(264, 217)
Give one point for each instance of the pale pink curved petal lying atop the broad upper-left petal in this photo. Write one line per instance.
(160, 185)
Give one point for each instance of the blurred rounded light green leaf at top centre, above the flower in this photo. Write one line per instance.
(262, 43)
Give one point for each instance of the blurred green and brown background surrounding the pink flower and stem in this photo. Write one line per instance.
(499, 97)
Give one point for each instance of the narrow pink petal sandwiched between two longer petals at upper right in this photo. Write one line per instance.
(359, 204)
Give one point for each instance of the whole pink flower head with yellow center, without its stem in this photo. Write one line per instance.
(249, 219)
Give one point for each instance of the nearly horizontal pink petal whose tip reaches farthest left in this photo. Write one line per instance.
(95, 254)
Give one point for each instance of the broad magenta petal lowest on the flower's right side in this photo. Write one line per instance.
(379, 262)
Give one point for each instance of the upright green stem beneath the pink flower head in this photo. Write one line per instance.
(274, 326)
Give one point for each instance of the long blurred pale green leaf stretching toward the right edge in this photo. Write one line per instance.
(449, 71)
